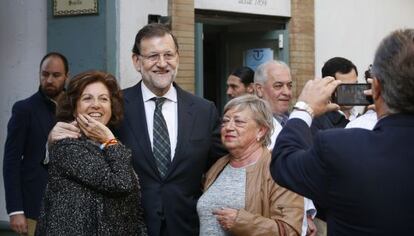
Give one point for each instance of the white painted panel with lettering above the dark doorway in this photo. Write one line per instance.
(261, 7)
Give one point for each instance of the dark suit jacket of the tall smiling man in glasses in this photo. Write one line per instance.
(173, 198)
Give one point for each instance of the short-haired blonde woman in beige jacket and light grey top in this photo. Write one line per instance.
(240, 197)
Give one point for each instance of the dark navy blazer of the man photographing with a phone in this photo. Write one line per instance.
(364, 178)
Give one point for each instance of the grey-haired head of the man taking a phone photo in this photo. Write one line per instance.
(394, 68)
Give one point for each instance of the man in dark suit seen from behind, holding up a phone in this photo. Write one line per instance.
(363, 178)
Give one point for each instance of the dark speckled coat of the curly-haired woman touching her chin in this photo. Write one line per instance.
(90, 191)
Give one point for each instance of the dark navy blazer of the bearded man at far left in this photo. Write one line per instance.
(24, 175)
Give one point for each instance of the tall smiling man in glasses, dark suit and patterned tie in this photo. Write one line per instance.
(170, 174)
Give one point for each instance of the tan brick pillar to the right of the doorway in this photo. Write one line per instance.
(302, 43)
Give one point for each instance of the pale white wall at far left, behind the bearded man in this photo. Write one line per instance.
(22, 45)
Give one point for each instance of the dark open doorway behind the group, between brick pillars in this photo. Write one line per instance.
(223, 41)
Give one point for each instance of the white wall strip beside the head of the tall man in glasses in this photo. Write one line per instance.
(133, 16)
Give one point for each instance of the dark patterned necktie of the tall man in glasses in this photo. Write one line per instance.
(161, 140)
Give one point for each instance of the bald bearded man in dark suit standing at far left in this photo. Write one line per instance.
(24, 175)
